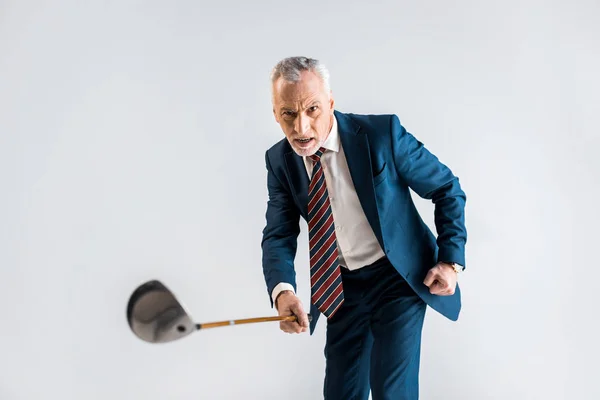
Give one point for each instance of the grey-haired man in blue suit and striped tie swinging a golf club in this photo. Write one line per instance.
(374, 263)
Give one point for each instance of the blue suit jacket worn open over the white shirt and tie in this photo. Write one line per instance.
(384, 161)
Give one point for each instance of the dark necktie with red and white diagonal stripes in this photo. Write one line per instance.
(325, 276)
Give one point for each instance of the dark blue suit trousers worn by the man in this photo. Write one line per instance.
(373, 341)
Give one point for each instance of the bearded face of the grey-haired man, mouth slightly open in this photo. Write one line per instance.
(304, 110)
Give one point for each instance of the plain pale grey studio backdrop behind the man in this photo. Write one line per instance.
(132, 140)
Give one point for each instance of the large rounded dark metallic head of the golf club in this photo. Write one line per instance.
(156, 316)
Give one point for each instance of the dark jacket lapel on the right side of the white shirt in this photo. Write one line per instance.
(356, 148)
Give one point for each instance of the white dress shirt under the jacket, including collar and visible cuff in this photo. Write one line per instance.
(356, 242)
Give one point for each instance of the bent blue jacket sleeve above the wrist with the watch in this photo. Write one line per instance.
(432, 180)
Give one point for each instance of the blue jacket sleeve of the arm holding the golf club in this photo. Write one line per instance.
(279, 240)
